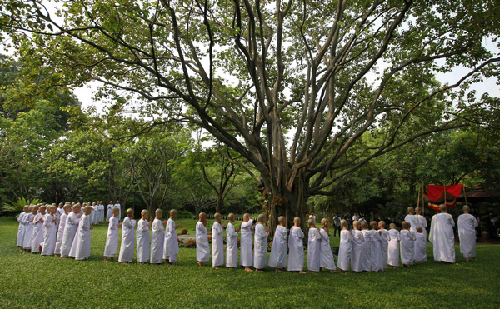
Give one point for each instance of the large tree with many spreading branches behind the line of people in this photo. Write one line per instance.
(290, 86)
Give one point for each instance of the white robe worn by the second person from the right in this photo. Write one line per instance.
(442, 238)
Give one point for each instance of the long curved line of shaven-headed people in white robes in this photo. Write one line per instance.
(361, 249)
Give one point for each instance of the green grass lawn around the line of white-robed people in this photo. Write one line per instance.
(34, 281)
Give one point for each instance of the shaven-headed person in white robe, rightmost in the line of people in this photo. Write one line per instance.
(466, 225)
